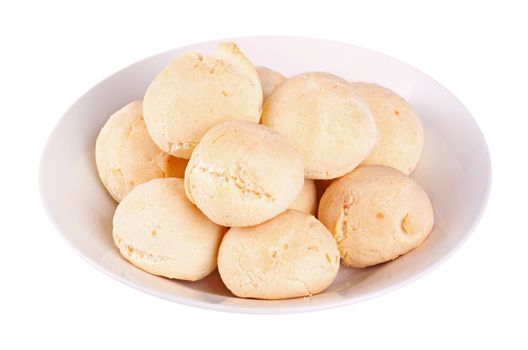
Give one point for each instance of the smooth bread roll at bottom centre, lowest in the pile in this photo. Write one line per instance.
(291, 255)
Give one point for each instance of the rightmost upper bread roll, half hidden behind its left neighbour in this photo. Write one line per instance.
(400, 128)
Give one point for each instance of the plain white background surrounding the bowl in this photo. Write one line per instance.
(51, 53)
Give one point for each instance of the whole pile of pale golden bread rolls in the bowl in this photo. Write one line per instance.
(225, 164)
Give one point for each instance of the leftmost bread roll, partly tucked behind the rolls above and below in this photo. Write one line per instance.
(126, 156)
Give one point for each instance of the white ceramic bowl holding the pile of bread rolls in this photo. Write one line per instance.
(454, 170)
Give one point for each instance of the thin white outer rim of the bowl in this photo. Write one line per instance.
(273, 309)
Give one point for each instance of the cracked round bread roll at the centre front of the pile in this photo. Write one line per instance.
(243, 173)
